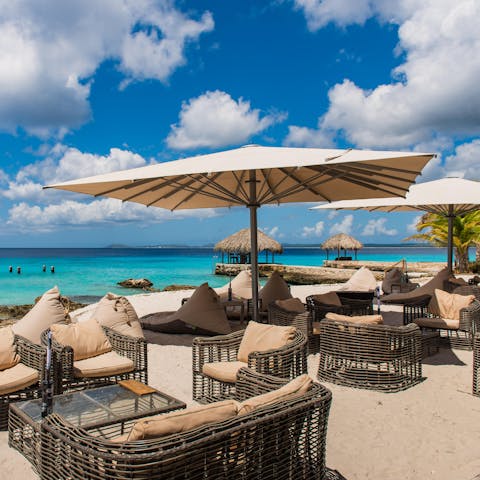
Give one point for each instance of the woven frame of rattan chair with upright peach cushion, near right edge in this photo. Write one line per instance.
(461, 338)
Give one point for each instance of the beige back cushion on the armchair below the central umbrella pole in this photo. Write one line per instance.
(259, 337)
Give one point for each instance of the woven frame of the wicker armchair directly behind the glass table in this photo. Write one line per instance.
(131, 347)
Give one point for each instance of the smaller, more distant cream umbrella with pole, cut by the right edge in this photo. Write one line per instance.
(449, 197)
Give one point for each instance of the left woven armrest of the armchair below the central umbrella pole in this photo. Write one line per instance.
(221, 348)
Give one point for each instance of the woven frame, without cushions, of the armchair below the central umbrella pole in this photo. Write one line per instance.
(286, 362)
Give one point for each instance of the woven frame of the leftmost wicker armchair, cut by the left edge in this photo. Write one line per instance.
(33, 356)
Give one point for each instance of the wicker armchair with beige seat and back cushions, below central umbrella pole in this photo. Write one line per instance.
(267, 349)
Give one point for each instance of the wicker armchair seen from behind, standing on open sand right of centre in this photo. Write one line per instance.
(374, 357)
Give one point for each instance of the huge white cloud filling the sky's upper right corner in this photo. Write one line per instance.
(433, 93)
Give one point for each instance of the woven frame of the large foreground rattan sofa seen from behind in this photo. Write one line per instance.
(284, 440)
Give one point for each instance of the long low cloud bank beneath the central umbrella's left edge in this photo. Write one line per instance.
(27, 218)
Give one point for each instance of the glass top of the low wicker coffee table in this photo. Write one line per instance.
(103, 405)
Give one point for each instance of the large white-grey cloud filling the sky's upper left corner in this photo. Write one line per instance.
(50, 51)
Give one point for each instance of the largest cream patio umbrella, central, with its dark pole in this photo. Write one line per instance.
(253, 176)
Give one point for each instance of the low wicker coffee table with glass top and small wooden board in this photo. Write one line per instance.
(103, 411)
